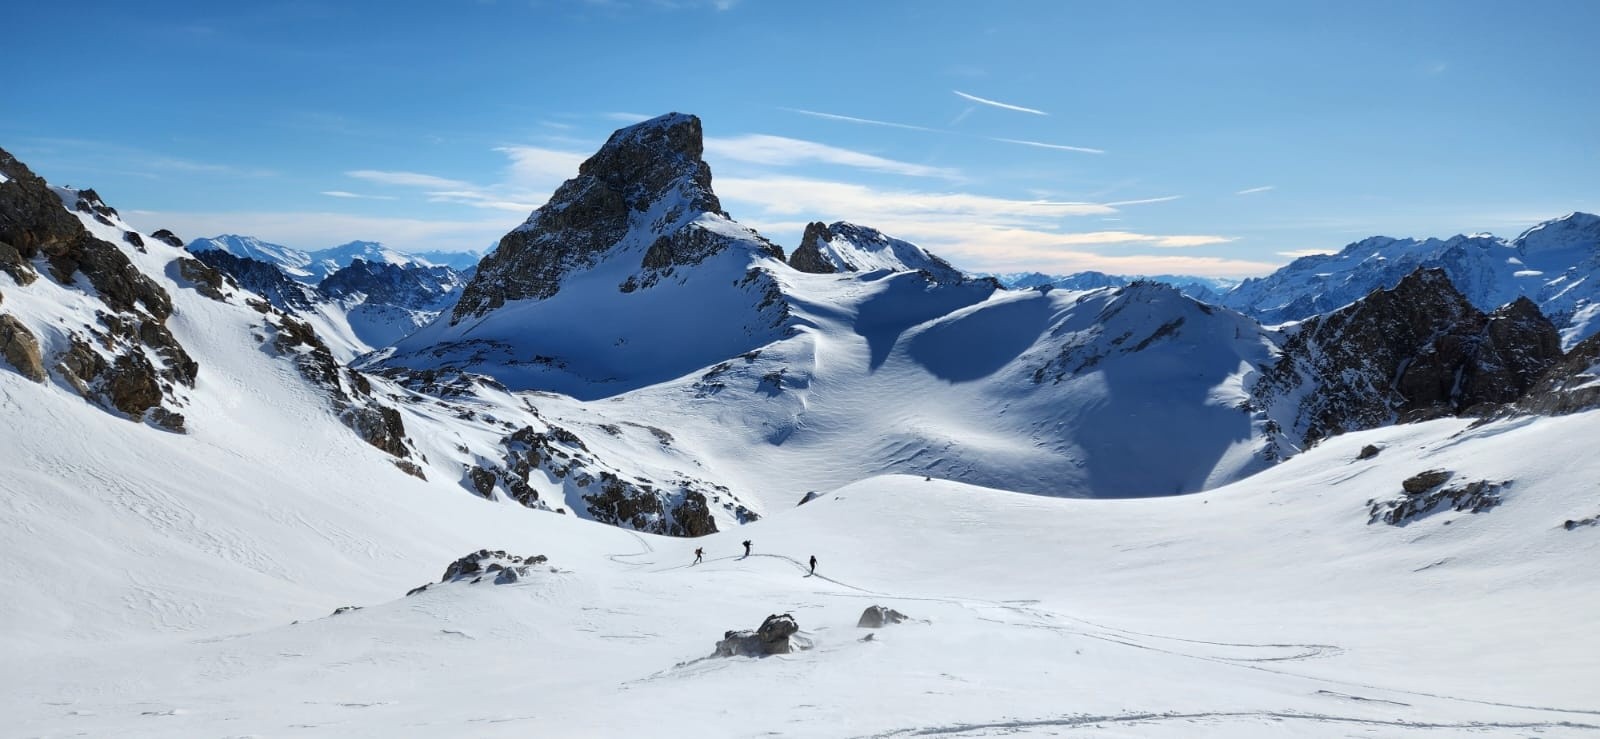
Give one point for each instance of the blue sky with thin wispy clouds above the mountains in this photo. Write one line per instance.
(1122, 137)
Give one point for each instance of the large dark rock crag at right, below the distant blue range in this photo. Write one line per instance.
(1414, 353)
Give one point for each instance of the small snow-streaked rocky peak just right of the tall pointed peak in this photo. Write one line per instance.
(846, 247)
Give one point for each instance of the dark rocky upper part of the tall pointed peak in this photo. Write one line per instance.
(646, 191)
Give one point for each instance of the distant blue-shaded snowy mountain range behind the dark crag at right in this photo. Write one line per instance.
(1548, 265)
